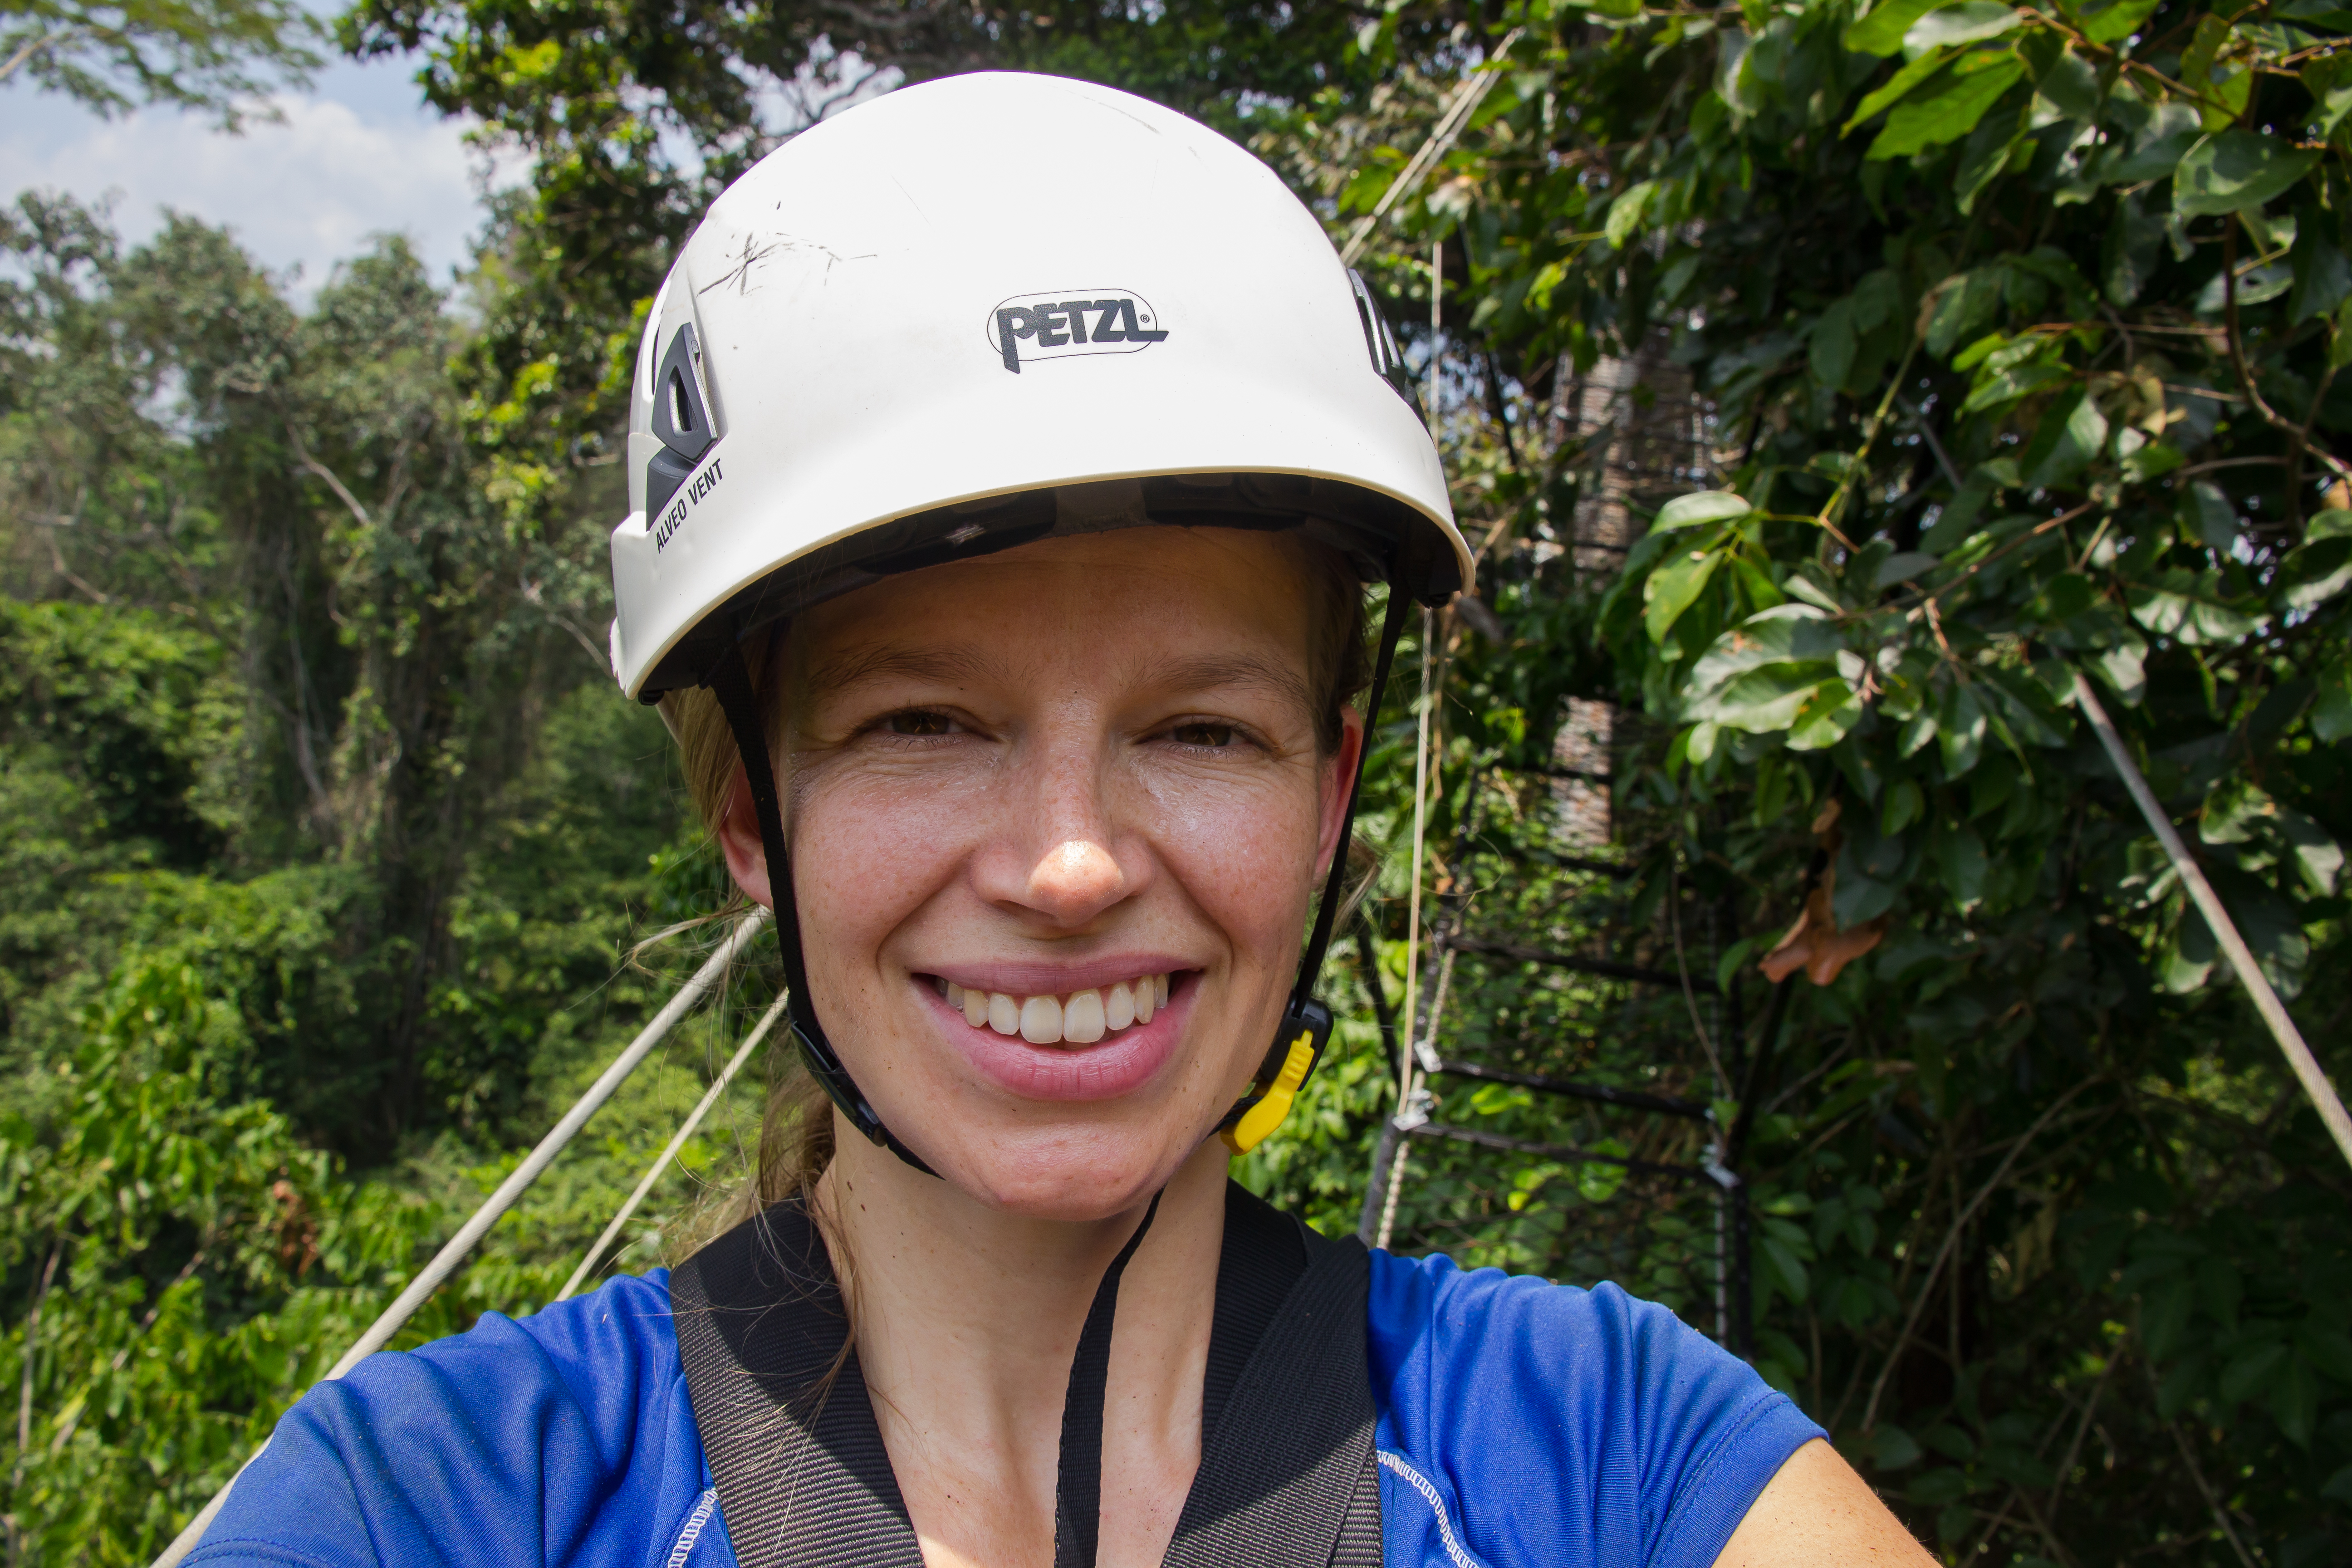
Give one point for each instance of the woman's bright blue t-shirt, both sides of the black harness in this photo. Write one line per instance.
(1523, 1426)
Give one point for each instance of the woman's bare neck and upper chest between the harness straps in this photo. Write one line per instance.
(965, 1329)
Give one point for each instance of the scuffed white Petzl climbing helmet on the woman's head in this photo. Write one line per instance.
(989, 309)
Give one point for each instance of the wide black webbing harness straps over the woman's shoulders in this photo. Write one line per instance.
(1288, 1475)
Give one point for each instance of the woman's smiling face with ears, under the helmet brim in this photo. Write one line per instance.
(1057, 822)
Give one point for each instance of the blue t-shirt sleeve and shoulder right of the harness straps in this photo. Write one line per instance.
(1565, 1428)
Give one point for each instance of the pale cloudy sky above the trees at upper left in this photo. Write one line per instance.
(356, 154)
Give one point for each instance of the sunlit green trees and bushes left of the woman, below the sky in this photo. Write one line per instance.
(323, 843)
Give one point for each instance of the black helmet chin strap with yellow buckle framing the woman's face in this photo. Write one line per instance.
(1304, 1021)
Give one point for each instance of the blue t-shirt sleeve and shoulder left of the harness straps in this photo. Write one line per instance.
(554, 1440)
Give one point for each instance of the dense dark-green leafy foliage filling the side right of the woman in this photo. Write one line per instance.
(2014, 342)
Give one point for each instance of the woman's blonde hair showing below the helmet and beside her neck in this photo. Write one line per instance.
(796, 1125)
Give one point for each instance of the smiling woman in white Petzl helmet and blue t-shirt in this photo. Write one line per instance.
(1029, 706)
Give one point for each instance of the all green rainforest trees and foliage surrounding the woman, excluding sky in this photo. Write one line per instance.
(1824, 387)
